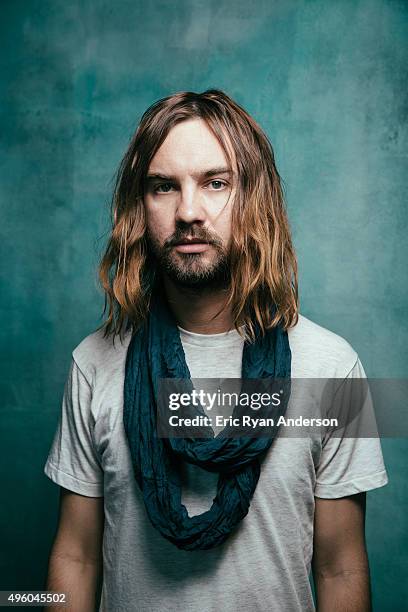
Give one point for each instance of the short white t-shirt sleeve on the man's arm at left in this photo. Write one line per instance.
(72, 461)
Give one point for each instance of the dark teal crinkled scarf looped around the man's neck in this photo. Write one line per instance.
(155, 352)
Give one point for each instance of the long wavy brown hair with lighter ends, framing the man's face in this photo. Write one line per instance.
(262, 259)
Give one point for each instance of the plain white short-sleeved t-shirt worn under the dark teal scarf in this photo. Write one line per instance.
(264, 565)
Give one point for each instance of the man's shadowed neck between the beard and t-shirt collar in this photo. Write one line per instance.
(199, 311)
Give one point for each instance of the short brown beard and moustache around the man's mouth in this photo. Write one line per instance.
(191, 270)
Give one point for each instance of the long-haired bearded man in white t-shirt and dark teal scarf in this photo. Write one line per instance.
(200, 257)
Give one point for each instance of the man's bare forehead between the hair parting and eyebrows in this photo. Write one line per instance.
(190, 146)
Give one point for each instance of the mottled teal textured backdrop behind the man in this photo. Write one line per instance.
(326, 80)
